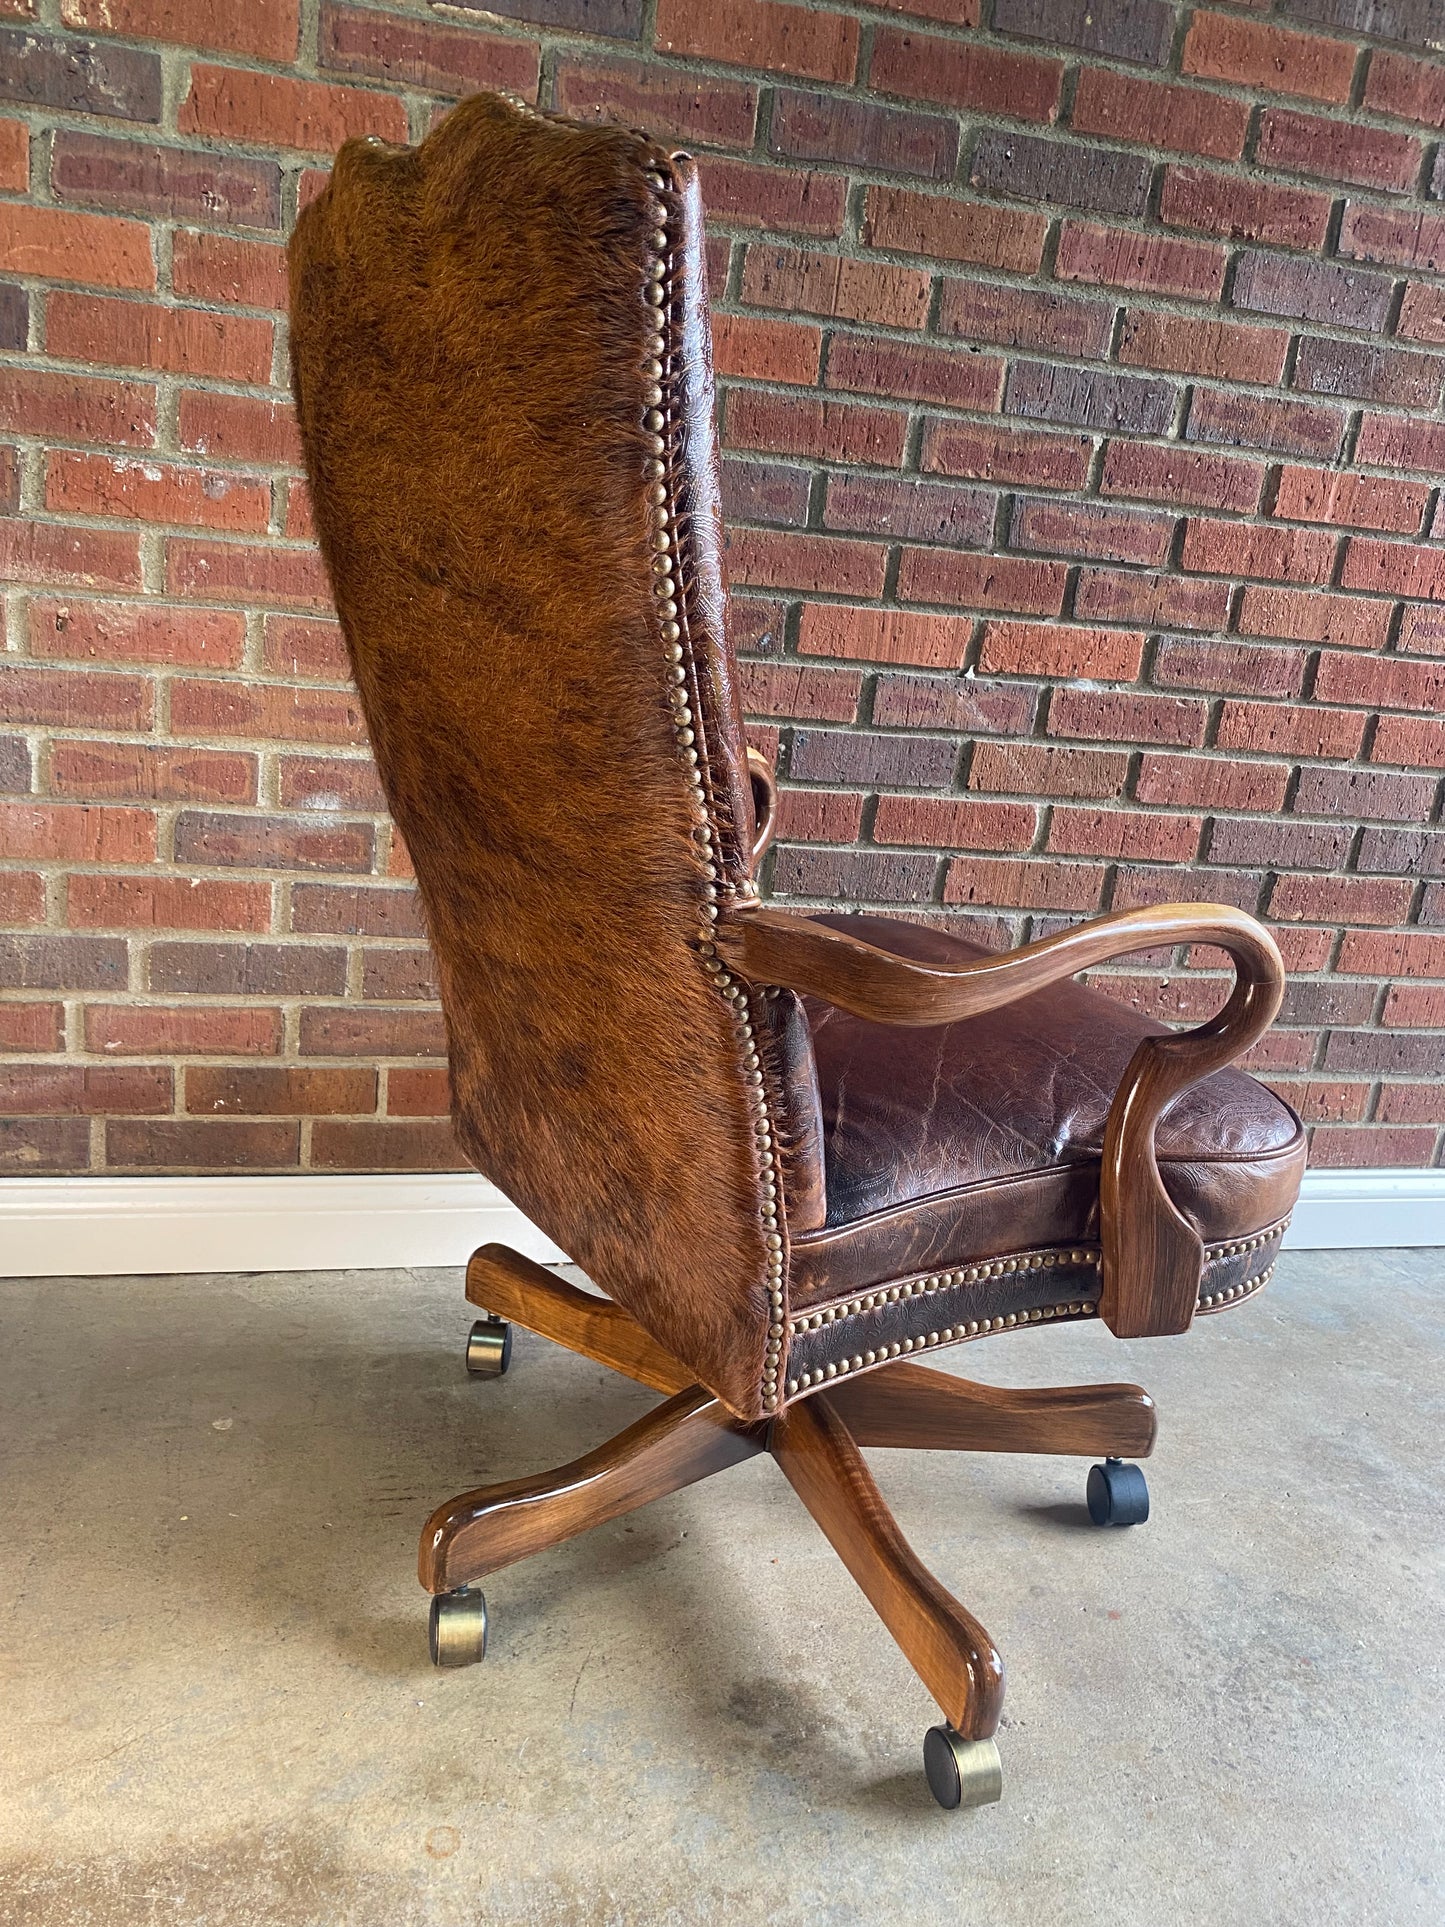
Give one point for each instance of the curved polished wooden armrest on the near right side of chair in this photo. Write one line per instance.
(1151, 1255)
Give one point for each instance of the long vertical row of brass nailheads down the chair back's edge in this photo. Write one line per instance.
(687, 729)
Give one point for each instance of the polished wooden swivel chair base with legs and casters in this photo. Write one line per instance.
(818, 1446)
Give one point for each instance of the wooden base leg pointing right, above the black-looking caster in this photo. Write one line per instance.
(914, 1406)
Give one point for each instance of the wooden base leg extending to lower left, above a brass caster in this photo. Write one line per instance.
(673, 1446)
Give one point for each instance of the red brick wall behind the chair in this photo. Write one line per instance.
(1082, 402)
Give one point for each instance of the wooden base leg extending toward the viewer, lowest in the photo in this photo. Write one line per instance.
(947, 1647)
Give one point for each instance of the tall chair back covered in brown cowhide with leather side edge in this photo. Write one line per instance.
(506, 487)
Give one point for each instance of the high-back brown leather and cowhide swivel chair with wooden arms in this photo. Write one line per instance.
(793, 1151)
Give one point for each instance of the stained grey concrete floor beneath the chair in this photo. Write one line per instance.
(219, 1704)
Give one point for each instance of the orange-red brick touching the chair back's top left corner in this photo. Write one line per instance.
(276, 111)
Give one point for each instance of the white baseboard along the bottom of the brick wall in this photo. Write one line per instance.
(124, 1227)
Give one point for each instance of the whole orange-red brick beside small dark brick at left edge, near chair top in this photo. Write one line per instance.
(134, 334)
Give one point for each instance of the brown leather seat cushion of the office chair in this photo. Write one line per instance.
(984, 1138)
